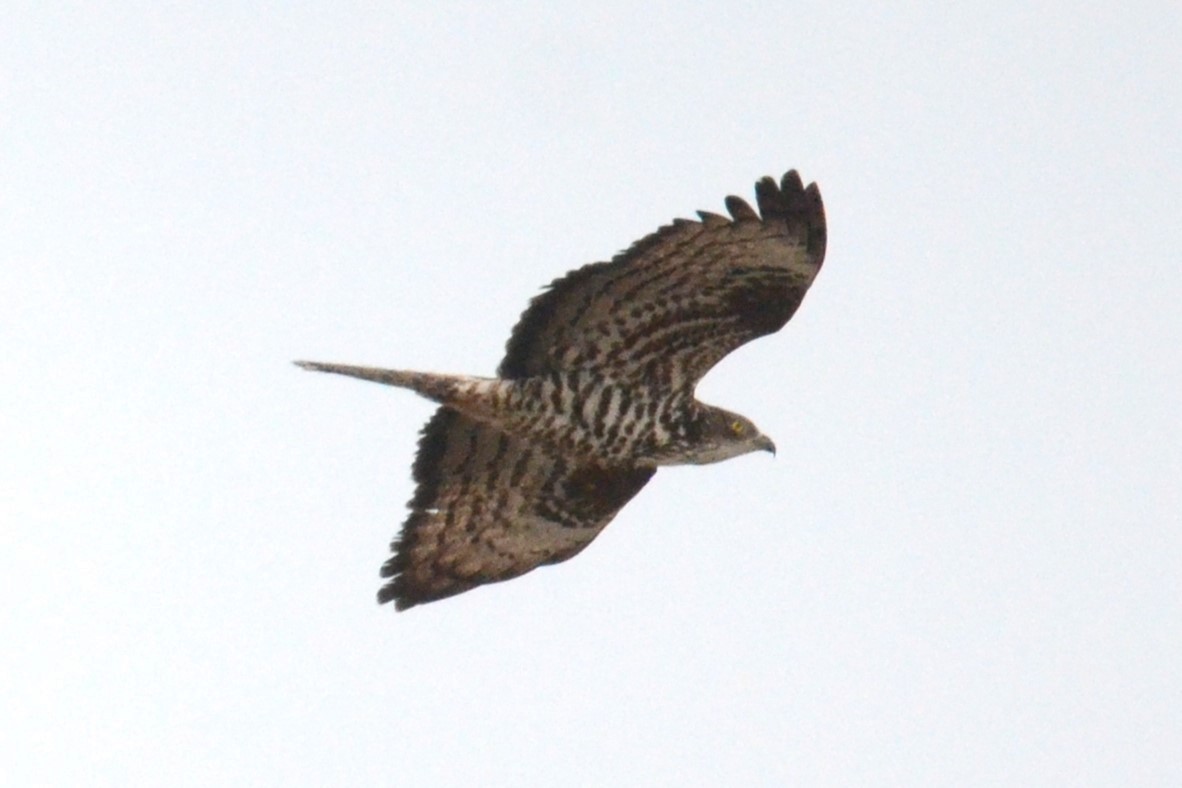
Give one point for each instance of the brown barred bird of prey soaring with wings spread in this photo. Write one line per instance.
(595, 393)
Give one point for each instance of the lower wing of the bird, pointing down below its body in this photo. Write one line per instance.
(490, 507)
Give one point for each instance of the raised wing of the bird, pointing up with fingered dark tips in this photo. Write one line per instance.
(679, 301)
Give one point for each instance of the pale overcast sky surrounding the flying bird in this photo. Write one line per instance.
(964, 566)
